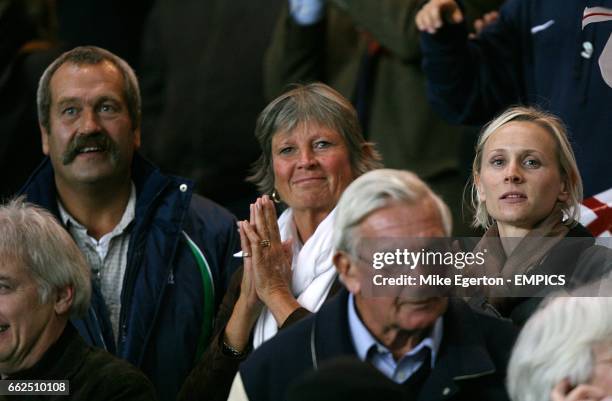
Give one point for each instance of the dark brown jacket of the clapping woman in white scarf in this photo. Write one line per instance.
(211, 379)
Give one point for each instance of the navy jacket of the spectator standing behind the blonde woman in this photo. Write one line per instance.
(470, 81)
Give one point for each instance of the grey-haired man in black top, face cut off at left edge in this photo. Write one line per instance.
(44, 280)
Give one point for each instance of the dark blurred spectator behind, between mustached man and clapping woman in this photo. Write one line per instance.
(202, 92)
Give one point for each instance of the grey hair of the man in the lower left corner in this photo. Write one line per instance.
(32, 237)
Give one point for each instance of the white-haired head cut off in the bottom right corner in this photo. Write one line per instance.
(564, 352)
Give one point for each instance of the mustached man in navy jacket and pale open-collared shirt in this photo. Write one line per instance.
(160, 255)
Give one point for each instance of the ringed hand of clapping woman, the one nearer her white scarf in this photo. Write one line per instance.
(271, 263)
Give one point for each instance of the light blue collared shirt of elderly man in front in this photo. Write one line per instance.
(371, 350)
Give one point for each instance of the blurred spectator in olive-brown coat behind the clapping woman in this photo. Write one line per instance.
(369, 51)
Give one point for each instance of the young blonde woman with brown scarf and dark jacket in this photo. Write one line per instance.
(525, 190)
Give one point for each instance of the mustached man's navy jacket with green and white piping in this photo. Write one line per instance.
(169, 294)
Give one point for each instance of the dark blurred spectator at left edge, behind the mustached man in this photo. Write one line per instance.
(27, 32)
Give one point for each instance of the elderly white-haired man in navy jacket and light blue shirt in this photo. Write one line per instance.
(431, 347)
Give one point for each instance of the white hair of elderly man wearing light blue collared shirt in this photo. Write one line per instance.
(375, 190)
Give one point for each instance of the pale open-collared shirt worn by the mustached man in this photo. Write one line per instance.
(107, 257)
